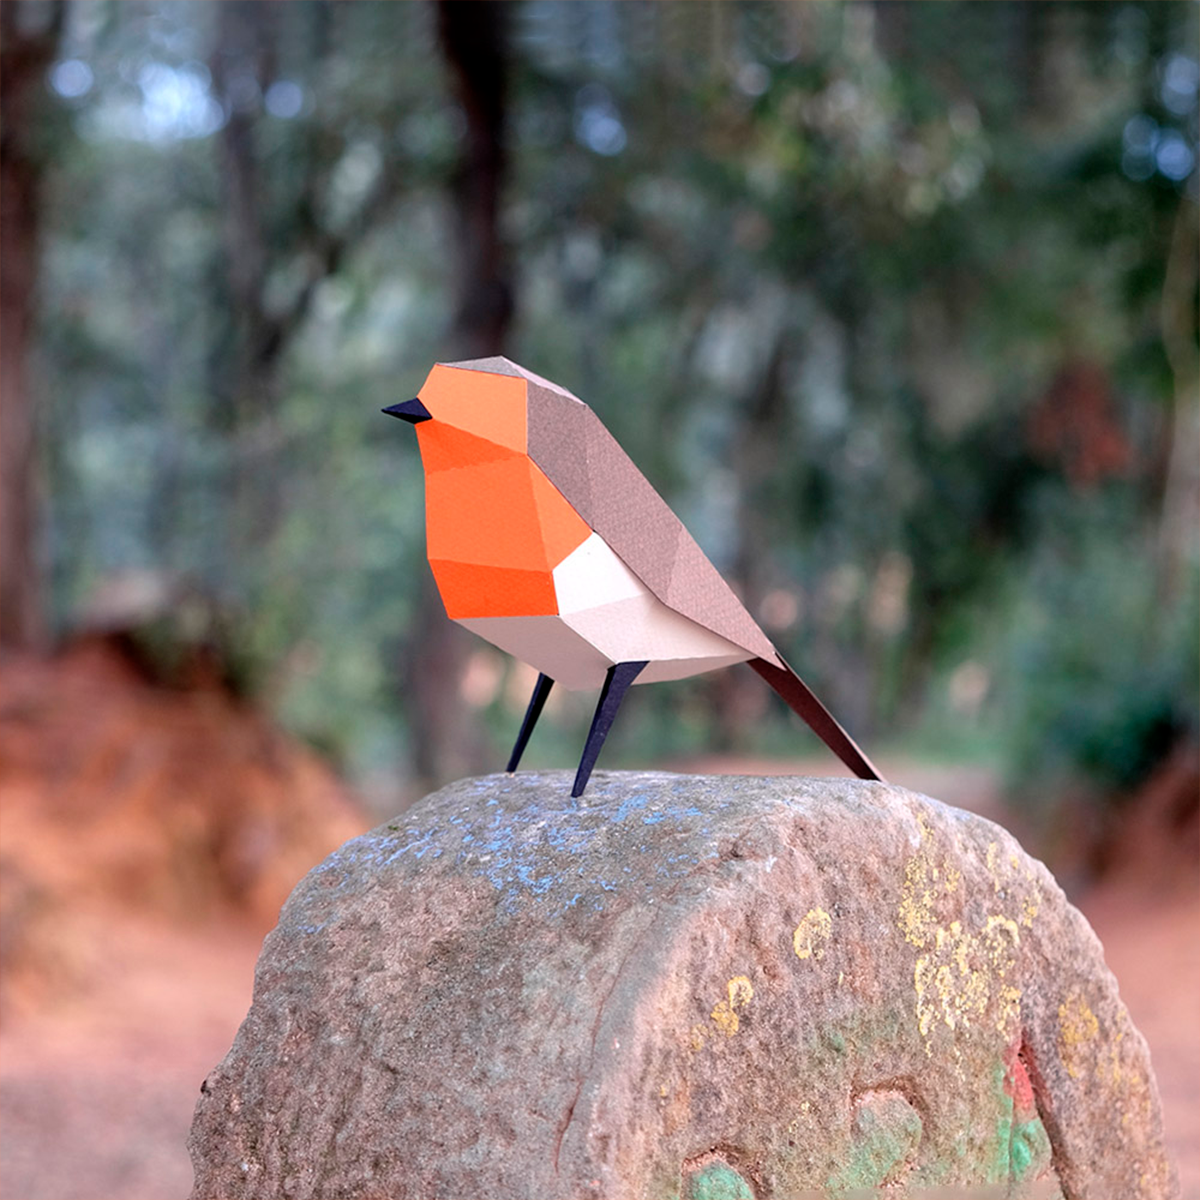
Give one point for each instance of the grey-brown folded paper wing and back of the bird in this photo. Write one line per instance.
(587, 465)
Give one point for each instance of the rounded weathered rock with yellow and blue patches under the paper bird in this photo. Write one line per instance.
(681, 987)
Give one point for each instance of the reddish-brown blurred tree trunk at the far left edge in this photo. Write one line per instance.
(31, 38)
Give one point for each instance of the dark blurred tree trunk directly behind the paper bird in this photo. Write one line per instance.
(446, 741)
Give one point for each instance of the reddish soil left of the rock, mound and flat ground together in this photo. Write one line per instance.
(149, 838)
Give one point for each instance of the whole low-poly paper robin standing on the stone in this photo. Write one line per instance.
(547, 541)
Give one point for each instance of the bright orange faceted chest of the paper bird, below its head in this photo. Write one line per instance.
(495, 532)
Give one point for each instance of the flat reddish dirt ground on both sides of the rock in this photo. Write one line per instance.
(97, 1091)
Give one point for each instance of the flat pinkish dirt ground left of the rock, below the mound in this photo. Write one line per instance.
(97, 1093)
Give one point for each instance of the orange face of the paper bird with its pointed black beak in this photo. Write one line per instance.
(465, 415)
